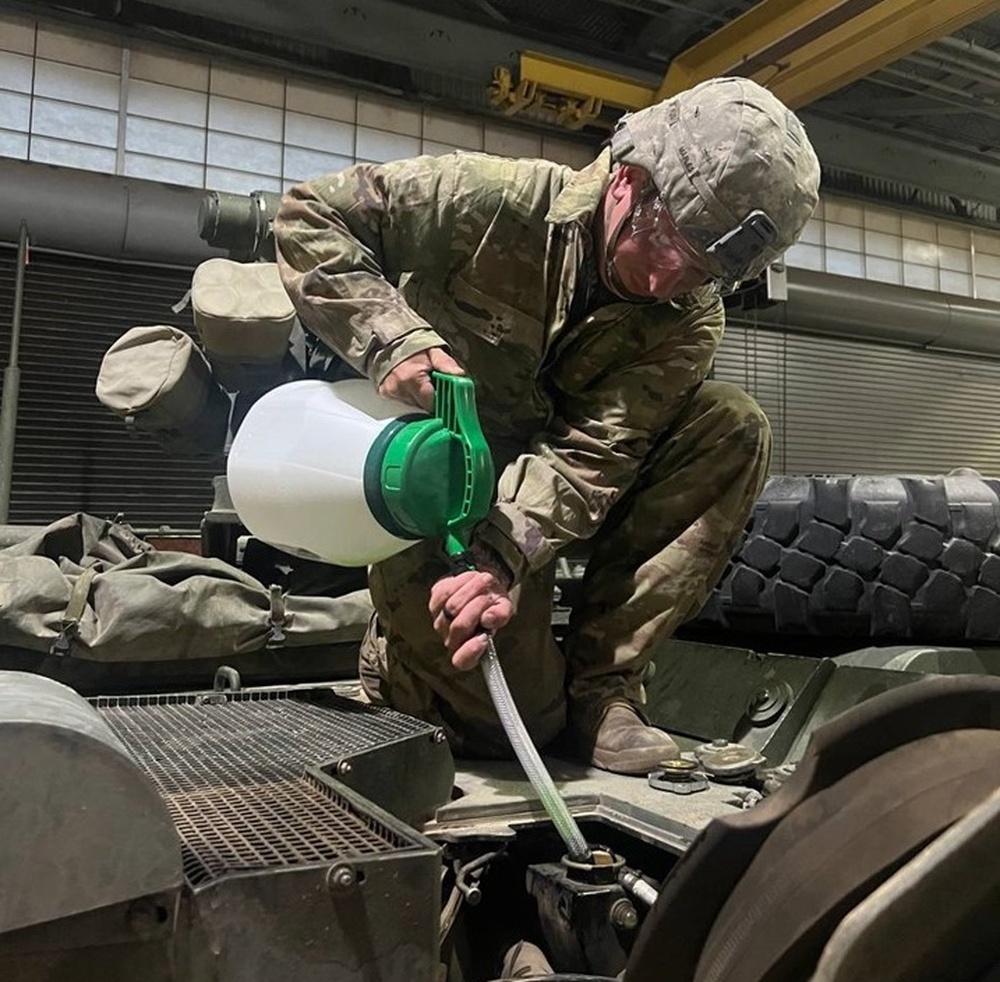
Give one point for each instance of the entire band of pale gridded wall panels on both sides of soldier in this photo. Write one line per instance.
(85, 101)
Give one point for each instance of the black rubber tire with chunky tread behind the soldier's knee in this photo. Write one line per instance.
(887, 557)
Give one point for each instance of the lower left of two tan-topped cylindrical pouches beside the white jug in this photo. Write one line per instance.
(157, 379)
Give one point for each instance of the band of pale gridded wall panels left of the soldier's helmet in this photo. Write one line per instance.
(85, 101)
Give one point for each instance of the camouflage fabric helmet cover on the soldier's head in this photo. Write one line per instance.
(719, 151)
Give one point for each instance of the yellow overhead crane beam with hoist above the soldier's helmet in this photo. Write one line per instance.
(800, 49)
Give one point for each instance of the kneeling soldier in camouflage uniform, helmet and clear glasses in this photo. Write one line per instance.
(586, 306)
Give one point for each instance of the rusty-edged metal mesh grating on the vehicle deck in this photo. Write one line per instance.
(231, 770)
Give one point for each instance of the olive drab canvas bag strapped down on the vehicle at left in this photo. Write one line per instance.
(91, 589)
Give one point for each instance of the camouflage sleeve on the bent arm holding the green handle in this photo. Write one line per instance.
(340, 240)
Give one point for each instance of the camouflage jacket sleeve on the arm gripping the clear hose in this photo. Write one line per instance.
(617, 386)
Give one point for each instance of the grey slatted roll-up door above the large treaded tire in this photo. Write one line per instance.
(842, 406)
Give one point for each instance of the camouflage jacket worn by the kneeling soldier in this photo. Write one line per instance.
(486, 255)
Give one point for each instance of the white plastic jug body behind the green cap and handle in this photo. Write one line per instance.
(296, 470)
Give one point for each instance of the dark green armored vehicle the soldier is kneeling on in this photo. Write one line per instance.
(193, 786)
